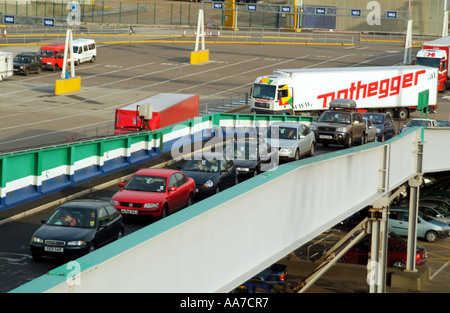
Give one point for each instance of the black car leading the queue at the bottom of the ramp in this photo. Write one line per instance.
(76, 228)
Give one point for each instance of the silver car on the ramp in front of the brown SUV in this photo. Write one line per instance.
(293, 140)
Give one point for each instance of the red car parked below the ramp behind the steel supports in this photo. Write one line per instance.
(359, 254)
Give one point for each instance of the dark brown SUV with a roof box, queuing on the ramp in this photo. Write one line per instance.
(340, 125)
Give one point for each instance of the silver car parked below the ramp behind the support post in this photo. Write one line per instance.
(427, 228)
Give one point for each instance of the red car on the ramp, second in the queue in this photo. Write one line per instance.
(154, 193)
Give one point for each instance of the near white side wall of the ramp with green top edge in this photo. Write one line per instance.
(222, 241)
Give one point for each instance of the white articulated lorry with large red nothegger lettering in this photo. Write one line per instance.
(391, 89)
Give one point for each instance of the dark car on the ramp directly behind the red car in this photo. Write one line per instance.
(211, 173)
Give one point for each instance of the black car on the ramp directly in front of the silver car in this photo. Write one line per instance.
(251, 157)
